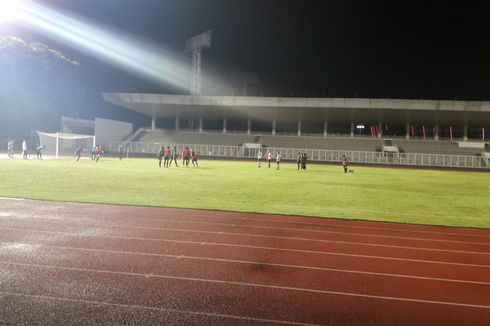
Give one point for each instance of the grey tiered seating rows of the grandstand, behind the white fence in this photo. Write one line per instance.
(297, 142)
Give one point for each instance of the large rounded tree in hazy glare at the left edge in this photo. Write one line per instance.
(37, 86)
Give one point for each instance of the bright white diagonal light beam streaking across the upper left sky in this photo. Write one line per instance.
(131, 54)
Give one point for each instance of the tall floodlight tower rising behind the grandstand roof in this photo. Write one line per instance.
(195, 45)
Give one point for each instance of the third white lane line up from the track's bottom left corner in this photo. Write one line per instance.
(250, 262)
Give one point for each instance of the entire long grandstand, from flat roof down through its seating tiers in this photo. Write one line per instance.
(387, 127)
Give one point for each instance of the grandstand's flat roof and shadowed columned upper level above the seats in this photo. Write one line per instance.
(353, 117)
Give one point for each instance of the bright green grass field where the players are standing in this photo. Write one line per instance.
(383, 194)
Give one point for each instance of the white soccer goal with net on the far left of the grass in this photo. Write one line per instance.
(64, 144)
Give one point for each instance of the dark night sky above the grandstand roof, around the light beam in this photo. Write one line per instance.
(392, 49)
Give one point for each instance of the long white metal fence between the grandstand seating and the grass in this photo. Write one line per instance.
(316, 155)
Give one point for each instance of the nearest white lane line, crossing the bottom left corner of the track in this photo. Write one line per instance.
(166, 310)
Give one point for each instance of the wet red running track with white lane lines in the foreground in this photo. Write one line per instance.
(83, 264)
